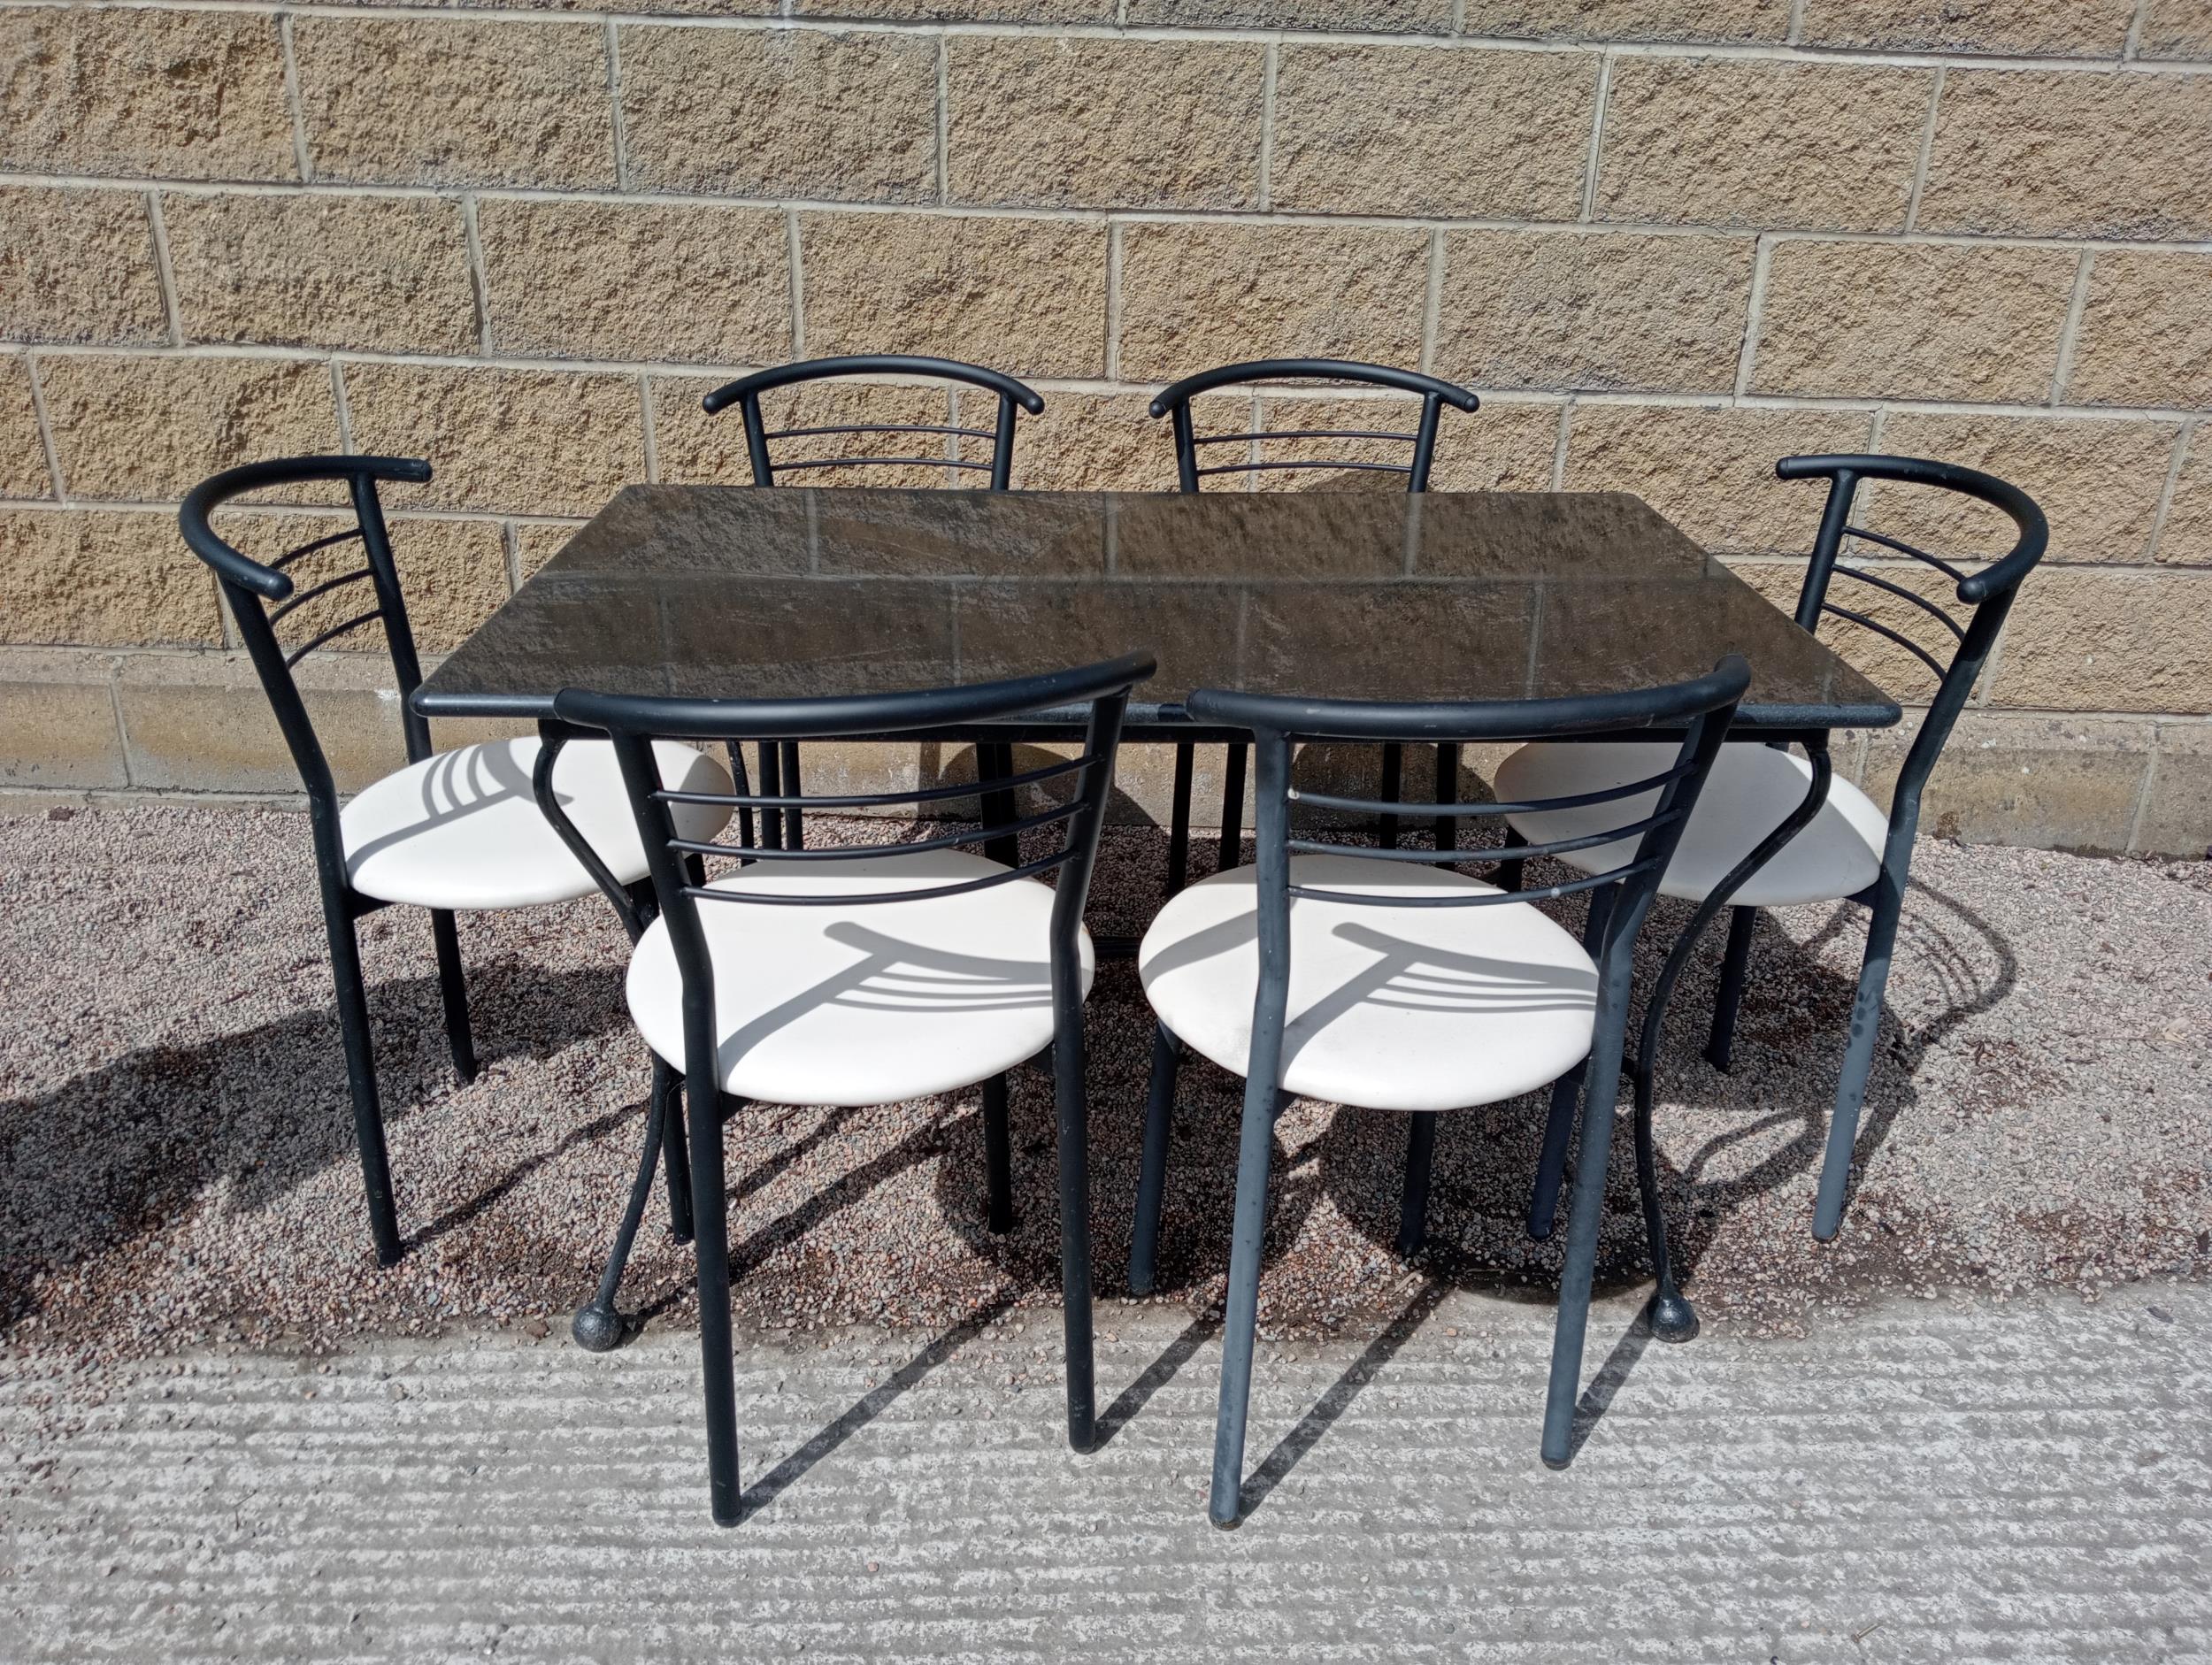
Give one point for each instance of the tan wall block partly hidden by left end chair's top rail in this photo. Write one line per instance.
(149, 430)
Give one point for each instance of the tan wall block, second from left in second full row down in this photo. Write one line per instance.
(379, 273)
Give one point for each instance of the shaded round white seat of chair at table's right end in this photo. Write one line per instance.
(1746, 797)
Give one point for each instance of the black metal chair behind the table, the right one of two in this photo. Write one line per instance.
(1189, 474)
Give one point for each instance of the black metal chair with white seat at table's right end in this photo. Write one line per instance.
(1777, 830)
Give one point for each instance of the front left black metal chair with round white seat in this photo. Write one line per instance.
(868, 974)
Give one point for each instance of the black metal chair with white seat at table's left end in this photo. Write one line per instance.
(452, 830)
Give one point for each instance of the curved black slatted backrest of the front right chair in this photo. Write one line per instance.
(1700, 711)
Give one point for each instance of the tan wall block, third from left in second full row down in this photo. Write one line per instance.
(594, 280)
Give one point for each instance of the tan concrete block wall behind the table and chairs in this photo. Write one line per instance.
(1667, 240)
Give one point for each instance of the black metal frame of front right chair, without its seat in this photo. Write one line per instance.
(1698, 711)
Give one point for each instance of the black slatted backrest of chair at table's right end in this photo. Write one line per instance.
(1990, 591)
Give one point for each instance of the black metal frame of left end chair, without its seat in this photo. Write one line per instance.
(251, 589)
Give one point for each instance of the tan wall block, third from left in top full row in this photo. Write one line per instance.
(782, 114)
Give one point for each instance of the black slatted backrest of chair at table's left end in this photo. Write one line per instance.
(264, 594)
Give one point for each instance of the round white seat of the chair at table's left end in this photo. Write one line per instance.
(461, 830)
